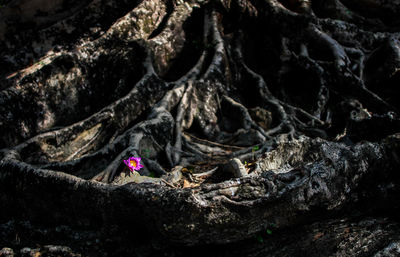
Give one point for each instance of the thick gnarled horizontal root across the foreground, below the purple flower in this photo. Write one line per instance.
(311, 178)
